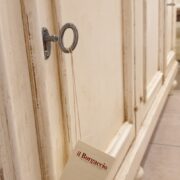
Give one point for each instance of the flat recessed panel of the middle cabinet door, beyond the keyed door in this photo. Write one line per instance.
(152, 39)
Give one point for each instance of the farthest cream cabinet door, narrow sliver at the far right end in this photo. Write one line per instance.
(170, 31)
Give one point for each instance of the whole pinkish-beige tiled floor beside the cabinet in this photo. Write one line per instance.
(162, 160)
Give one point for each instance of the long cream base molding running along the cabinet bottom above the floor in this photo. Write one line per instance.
(135, 155)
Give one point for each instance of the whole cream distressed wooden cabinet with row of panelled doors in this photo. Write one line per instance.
(123, 70)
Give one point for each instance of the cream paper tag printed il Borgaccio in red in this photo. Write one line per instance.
(87, 163)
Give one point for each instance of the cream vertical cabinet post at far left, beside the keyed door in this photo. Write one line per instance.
(16, 94)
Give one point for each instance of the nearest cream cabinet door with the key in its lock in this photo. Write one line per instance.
(104, 83)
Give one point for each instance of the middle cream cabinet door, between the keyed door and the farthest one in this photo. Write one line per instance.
(147, 55)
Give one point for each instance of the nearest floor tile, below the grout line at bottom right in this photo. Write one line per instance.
(162, 163)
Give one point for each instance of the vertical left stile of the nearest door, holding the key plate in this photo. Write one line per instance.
(45, 86)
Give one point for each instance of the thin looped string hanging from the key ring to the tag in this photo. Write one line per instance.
(75, 99)
